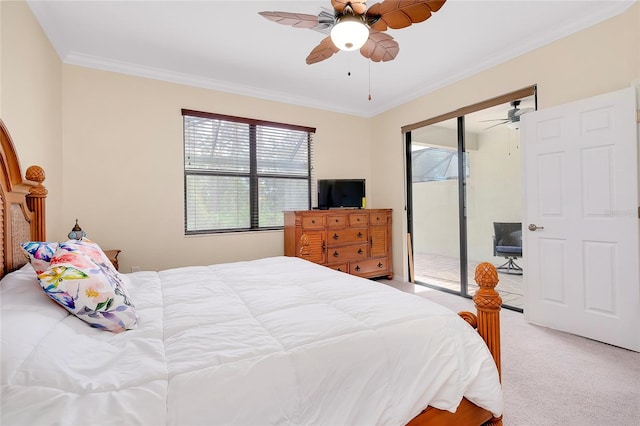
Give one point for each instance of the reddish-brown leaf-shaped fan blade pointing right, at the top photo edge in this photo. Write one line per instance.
(398, 14)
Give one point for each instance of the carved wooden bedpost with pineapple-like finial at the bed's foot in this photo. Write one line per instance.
(488, 304)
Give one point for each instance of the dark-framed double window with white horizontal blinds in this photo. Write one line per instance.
(241, 174)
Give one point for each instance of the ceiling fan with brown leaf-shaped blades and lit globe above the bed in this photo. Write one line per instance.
(354, 26)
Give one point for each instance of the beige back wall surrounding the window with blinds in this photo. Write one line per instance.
(124, 149)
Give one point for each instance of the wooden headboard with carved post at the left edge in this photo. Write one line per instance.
(22, 203)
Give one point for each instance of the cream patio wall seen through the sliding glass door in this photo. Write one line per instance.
(493, 195)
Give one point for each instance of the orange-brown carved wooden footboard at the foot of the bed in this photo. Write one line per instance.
(487, 321)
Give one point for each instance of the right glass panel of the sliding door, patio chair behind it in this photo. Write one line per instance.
(494, 198)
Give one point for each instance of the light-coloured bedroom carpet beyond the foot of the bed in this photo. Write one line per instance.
(553, 378)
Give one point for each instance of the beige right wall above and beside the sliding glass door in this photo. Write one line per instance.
(597, 60)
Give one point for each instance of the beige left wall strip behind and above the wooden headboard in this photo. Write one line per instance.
(31, 99)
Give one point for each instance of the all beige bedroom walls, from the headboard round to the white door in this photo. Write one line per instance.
(114, 142)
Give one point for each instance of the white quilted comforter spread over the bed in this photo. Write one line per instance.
(271, 341)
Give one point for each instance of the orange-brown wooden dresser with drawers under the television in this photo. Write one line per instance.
(354, 241)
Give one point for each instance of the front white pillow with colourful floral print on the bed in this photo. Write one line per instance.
(80, 280)
